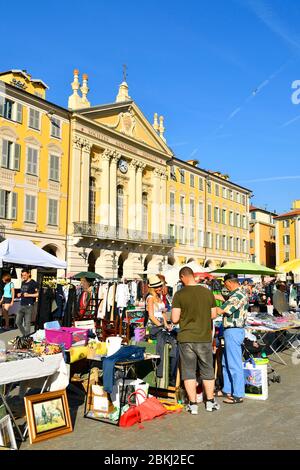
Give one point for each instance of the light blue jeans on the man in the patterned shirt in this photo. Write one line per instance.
(232, 362)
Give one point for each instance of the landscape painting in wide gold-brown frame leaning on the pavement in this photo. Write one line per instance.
(47, 415)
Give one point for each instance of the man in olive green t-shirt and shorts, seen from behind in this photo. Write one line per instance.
(193, 308)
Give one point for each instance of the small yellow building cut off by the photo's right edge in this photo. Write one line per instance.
(288, 234)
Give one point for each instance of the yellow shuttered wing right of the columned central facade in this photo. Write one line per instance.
(208, 216)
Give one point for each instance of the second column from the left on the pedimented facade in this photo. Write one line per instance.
(85, 181)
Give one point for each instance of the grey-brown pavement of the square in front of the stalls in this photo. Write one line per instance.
(271, 424)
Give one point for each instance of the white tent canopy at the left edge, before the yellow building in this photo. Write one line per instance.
(26, 253)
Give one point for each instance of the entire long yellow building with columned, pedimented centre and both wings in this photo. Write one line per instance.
(99, 186)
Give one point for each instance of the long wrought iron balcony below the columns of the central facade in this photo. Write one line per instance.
(106, 232)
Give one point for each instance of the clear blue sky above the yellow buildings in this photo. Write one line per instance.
(219, 71)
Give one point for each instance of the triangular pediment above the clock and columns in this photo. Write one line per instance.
(127, 119)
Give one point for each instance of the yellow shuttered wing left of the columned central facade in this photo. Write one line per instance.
(34, 153)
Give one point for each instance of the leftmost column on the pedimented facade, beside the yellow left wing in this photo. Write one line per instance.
(75, 181)
